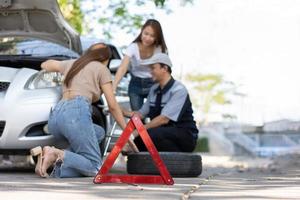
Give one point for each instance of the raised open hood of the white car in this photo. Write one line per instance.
(37, 19)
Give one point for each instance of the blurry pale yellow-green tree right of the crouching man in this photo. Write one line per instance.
(211, 90)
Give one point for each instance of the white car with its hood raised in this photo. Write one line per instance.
(32, 31)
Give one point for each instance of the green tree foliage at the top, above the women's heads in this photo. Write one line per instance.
(116, 15)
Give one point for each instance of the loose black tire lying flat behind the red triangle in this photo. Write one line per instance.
(179, 164)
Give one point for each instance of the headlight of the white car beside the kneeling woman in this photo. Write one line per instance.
(44, 79)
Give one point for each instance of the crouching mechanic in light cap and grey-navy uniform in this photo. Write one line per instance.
(172, 126)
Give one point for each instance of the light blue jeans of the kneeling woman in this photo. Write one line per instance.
(71, 120)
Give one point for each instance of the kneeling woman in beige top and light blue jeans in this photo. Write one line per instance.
(85, 80)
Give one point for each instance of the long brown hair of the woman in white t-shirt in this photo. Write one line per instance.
(159, 36)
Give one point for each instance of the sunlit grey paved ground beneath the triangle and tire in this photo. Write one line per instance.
(223, 177)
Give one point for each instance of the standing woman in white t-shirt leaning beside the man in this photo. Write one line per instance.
(148, 42)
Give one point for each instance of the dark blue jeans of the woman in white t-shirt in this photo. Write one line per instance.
(138, 90)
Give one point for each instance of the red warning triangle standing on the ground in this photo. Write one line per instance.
(104, 177)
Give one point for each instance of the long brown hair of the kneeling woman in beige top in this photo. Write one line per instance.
(97, 52)
